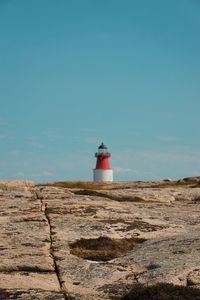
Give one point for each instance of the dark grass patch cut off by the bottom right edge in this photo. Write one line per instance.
(162, 291)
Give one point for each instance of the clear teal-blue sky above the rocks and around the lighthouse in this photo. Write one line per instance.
(74, 73)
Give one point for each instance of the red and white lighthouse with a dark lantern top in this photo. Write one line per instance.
(103, 171)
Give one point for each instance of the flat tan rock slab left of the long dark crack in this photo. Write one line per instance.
(25, 245)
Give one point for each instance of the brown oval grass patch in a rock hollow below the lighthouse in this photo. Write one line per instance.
(103, 248)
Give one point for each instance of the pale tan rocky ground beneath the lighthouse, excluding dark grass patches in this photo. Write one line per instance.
(39, 223)
